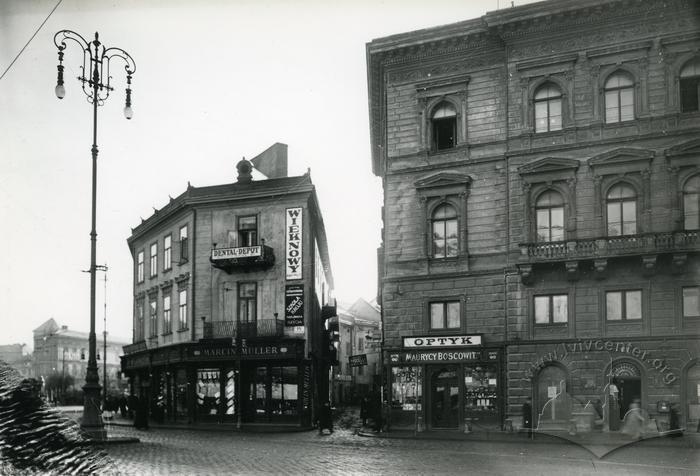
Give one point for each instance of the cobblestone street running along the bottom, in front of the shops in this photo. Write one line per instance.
(192, 452)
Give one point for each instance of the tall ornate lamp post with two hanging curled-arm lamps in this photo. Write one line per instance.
(96, 78)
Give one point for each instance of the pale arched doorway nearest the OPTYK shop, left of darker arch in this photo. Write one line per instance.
(552, 402)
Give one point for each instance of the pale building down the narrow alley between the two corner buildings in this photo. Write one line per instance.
(359, 356)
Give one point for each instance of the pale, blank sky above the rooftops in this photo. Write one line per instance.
(215, 81)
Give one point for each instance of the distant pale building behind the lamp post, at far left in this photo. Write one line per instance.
(64, 352)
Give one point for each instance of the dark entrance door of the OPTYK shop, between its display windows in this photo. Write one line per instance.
(444, 397)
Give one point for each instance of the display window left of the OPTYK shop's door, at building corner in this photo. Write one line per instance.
(406, 396)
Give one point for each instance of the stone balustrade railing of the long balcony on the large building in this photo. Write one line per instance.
(592, 248)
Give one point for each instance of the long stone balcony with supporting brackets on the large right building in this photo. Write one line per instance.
(648, 246)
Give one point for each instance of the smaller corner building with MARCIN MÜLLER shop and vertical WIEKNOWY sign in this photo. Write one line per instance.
(229, 284)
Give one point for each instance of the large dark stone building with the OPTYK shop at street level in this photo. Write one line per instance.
(541, 173)
